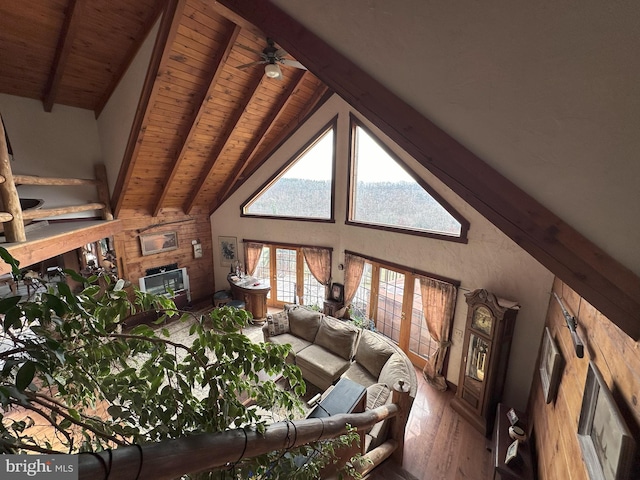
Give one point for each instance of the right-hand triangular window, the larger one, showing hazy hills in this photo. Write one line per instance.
(386, 194)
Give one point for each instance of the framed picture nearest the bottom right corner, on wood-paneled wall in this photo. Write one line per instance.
(607, 444)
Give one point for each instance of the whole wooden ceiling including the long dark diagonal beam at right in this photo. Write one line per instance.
(203, 125)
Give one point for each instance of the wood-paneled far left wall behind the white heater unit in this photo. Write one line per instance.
(133, 264)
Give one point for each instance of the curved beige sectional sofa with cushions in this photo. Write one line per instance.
(326, 349)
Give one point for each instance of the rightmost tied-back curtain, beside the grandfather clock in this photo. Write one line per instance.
(438, 304)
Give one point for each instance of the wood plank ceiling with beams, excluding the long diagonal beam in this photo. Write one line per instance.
(202, 125)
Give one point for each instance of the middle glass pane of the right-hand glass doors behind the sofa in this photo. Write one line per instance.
(391, 292)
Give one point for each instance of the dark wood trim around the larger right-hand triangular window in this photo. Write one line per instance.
(355, 122)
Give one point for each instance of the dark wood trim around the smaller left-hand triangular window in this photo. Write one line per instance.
(331, 125)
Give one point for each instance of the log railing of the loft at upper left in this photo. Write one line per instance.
(11, 213)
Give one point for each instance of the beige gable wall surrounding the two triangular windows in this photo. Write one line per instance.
(489, 260)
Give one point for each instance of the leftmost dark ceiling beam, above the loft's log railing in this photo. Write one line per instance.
(72, 22)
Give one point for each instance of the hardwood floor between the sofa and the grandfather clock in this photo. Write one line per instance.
(439, 444)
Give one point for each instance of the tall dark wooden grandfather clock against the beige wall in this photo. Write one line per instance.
(487, 343)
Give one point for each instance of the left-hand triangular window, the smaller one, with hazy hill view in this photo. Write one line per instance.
(303, 188)
